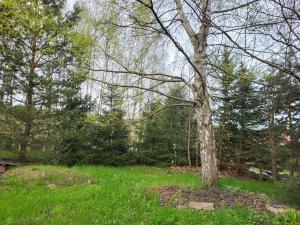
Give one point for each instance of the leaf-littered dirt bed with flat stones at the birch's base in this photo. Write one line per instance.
(182, 197)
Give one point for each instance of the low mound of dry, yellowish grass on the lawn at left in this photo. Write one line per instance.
(49, 177)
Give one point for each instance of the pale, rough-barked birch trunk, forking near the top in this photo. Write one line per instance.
(200, 91)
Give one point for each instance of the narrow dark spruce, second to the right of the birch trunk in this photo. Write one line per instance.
(246, 114)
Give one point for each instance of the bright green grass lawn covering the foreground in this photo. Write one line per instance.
(103, 195)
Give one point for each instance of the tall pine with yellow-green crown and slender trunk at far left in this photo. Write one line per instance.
(39, 48)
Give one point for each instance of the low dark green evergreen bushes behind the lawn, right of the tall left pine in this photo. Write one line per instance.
(101, 140)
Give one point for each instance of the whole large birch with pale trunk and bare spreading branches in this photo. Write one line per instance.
(197, 30)
